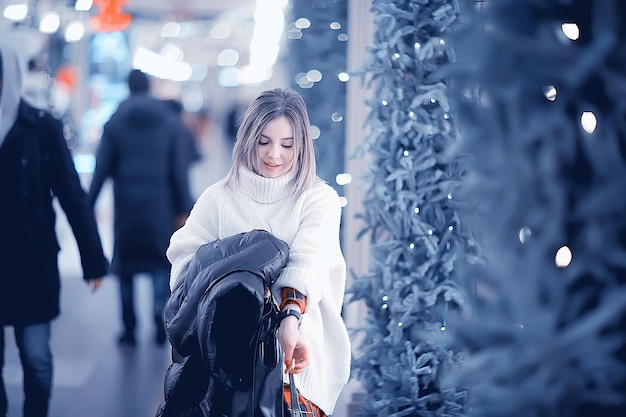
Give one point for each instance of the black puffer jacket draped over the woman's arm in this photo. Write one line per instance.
(223, 332)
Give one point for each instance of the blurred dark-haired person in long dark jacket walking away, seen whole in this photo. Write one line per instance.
(141, 152)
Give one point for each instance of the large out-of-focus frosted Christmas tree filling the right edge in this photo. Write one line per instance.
(543, 118)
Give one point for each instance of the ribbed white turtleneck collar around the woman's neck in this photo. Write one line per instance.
(265, 190)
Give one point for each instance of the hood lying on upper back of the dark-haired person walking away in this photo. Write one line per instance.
(141, 110)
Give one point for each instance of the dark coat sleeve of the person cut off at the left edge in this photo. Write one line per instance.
(65, 184)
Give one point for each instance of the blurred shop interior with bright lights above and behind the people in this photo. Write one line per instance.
(211, 56)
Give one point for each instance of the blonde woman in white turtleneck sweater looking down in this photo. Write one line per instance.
(272, 185)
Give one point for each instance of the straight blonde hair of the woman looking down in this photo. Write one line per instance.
(266, 107)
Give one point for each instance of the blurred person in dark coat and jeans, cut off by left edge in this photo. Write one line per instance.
(35, 167)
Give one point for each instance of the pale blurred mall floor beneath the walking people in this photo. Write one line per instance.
(93, 375)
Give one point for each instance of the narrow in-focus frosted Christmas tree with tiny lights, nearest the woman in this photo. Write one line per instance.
(412, 215)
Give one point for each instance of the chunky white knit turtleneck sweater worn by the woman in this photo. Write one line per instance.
(309, 224)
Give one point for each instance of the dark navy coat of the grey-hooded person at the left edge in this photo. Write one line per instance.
(35, 167)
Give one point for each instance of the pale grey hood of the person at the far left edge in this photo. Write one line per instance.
(11, 88)
